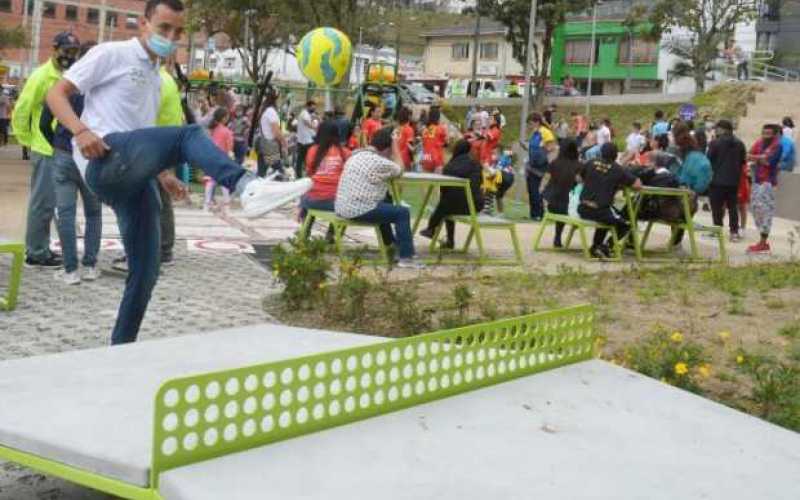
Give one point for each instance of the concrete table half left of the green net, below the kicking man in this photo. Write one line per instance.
(93, 409)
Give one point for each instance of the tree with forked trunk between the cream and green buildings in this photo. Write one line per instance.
(515, 15)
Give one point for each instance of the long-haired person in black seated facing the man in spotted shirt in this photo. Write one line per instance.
(453, 201)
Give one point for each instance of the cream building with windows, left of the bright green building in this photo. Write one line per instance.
(449, 52)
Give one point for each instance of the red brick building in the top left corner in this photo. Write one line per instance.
(97, 20)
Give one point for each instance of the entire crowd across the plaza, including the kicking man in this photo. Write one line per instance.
(109, 122)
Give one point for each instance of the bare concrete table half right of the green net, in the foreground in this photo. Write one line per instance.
(589, 430)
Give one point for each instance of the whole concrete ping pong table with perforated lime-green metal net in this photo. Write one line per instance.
(509, 409)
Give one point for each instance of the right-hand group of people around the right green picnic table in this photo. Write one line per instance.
(576, 168)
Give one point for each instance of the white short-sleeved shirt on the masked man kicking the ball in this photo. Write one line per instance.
(121, 88)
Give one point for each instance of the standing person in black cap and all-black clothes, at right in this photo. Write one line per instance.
(728, 156)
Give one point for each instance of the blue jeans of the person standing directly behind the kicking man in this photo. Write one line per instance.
(68, 183)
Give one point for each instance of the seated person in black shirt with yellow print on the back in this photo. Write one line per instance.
(601, 180)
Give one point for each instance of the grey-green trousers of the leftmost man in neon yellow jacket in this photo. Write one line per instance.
(41, 206)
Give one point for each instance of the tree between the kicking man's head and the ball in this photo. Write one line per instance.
(254, 27)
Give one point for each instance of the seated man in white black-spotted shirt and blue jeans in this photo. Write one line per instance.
(362, 192)
